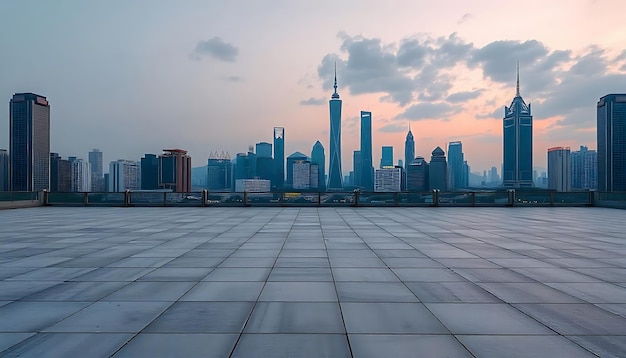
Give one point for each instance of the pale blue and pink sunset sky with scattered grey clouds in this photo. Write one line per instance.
(135, 77)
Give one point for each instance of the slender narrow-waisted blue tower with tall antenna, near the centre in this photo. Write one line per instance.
(335, 175)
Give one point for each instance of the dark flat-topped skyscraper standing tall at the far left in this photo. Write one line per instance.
(29, 137)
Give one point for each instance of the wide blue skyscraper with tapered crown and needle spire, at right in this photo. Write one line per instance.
(518, 143)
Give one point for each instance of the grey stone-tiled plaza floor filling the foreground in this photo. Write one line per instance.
(313, 282)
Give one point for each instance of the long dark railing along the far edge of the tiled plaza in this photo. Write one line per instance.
(317, 199)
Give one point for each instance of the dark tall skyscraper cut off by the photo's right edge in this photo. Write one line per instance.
(612, 142)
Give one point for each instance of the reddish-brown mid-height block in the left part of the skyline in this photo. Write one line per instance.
(175, 170)
